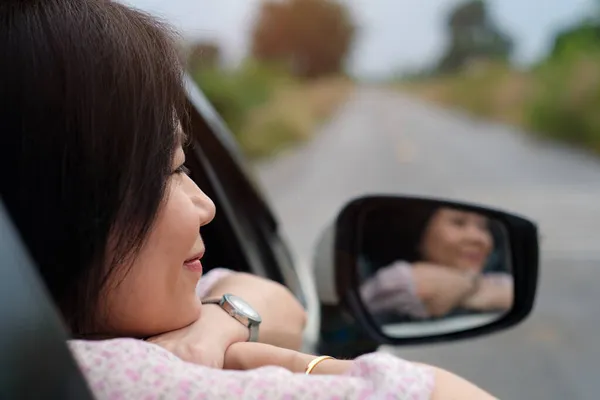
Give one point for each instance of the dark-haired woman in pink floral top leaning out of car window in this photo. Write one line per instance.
(93, 174)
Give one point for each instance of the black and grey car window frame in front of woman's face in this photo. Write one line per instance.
(238, 194)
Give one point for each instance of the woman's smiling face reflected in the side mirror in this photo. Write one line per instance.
(457, 239)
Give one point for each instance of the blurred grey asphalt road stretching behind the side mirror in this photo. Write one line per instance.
(382, 142)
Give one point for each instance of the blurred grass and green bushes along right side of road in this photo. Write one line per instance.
(558, 100)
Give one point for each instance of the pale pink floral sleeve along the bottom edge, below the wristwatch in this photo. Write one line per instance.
(133, 369)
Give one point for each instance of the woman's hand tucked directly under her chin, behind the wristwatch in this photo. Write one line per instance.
(205, 341)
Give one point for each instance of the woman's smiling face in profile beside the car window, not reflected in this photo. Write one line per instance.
(157, 293)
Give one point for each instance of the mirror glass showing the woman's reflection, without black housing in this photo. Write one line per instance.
(429, 269)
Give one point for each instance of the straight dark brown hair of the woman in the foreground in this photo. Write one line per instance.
(90, 95)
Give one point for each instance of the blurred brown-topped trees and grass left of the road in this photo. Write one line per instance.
(292, 81)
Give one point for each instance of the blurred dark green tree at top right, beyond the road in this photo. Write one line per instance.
(473, 36)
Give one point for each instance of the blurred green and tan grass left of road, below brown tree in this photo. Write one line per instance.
(266, 108)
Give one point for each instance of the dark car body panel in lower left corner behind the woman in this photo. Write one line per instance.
(34, 358)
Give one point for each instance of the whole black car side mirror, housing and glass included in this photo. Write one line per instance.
(414, 270)
